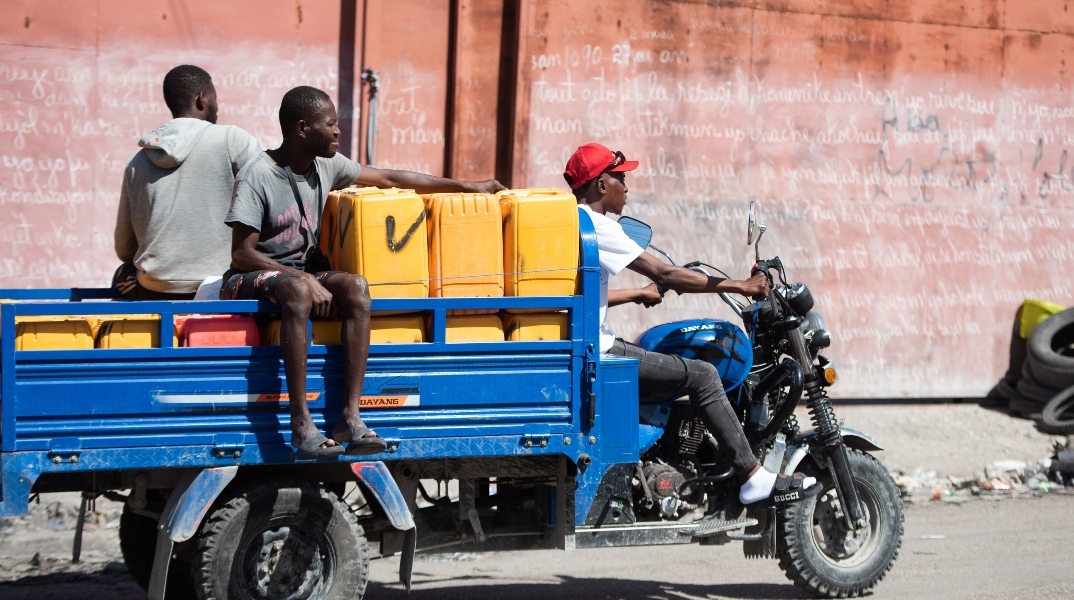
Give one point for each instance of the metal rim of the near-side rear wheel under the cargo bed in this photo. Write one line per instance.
(284, 560)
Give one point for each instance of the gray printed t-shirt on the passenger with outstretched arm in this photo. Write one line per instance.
(264, 200)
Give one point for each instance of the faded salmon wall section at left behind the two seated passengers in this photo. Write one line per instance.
(80, 83)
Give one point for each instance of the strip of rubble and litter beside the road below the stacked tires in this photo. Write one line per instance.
(1002, 479)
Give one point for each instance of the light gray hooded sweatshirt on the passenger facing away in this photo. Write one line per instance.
(177, 193)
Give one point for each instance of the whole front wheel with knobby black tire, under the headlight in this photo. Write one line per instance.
(840, 573)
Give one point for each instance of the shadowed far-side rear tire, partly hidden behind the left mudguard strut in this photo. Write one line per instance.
(138, 544)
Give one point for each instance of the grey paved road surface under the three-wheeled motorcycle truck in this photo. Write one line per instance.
(1008, 549)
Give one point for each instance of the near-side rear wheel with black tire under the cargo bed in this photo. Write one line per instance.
(248, 547)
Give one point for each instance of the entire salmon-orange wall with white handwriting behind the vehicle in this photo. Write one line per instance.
(911, 158)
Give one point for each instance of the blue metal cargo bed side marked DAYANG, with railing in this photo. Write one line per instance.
(97, 411)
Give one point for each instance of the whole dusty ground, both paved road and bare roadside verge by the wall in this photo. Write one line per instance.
(1002, 548)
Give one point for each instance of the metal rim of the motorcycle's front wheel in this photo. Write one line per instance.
(834, 544)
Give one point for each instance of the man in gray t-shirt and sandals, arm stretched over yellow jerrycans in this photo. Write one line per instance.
(275, 221)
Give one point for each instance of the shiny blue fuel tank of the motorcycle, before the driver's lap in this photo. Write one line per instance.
(719, 343)
